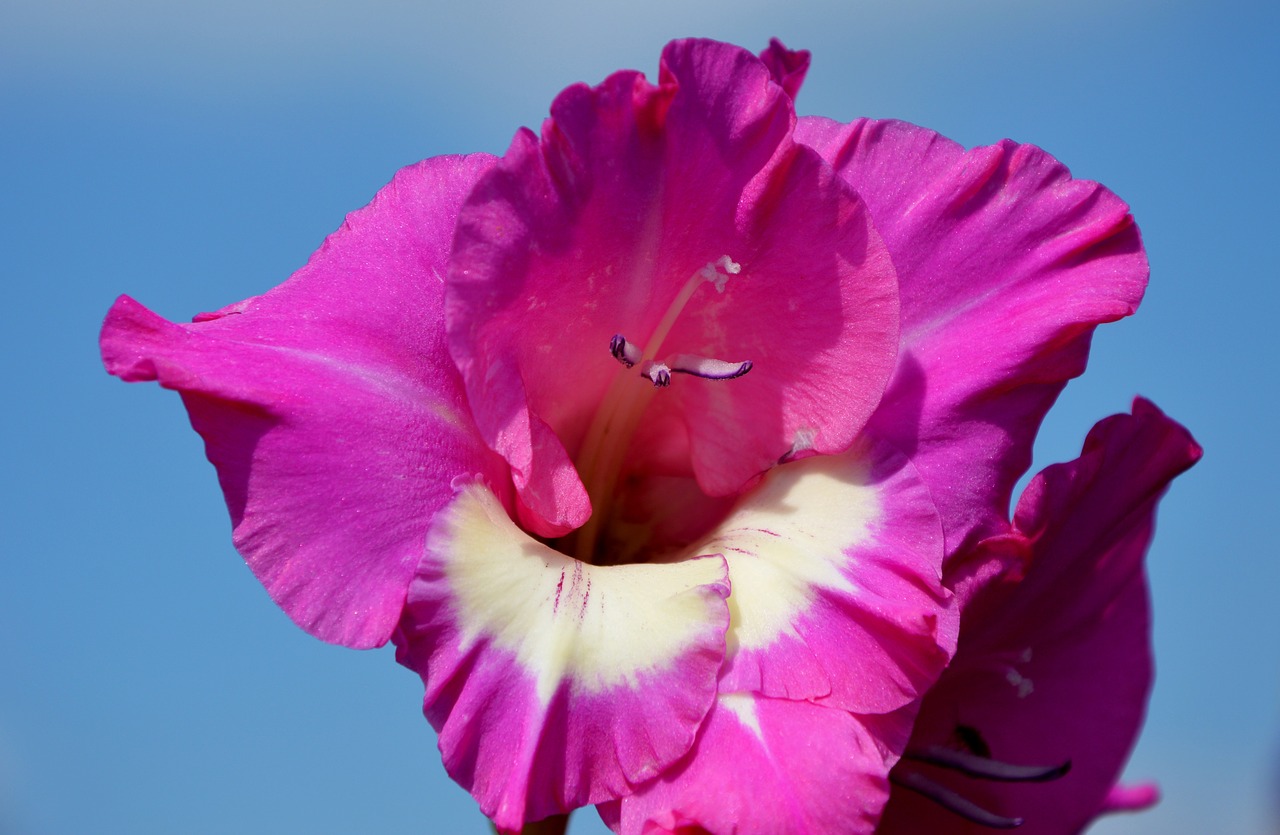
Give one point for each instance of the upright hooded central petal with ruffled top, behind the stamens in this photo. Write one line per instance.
(683, 218)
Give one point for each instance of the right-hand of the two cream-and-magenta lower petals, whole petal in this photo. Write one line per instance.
(836, 565)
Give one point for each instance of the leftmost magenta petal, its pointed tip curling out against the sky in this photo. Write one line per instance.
(331, 407)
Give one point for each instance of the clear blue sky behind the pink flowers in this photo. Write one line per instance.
(193, 154)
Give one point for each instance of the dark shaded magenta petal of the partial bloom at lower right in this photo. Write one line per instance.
(1055, 667)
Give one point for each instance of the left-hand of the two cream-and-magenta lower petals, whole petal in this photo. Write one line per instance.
(555, 683)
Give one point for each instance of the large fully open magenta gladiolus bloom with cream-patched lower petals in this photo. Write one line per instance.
(652, 444)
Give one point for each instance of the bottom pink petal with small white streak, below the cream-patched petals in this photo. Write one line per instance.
(766, 766)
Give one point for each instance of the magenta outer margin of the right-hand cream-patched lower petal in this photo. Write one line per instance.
(880, 642)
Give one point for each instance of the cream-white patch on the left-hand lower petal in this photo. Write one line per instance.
(600, 627)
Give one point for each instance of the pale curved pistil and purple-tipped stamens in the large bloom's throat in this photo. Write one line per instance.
(620, 414)
